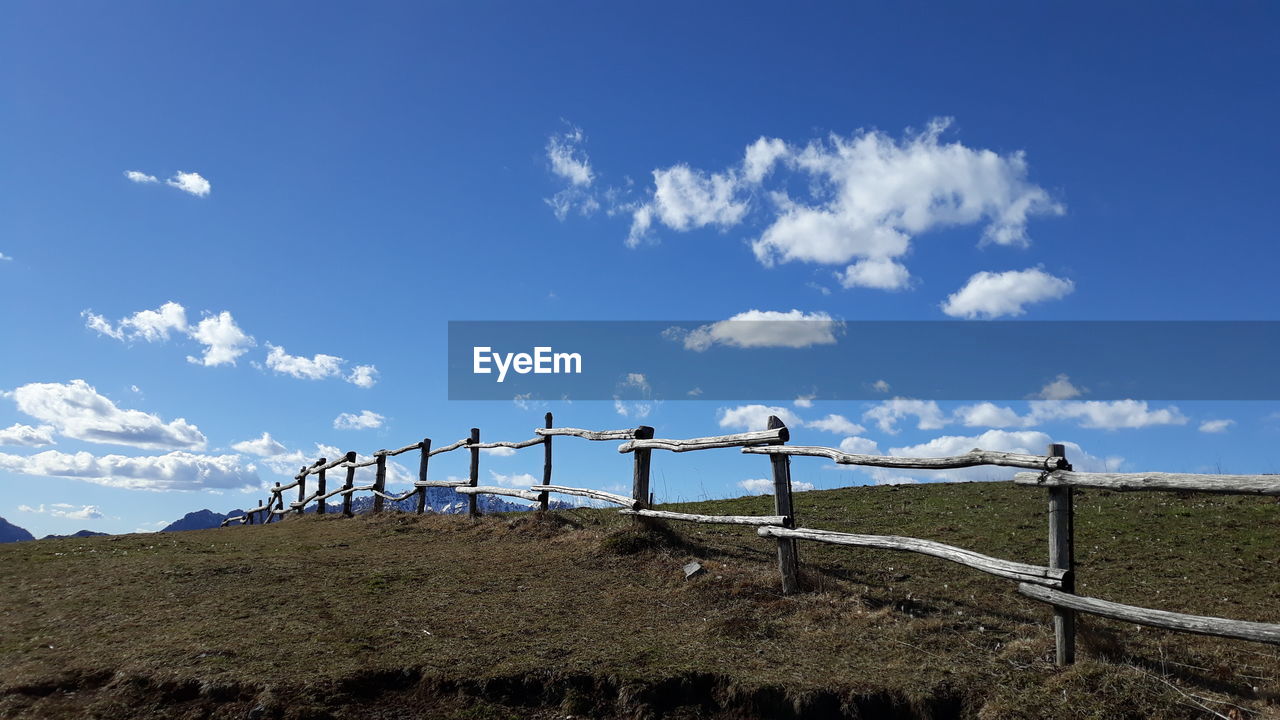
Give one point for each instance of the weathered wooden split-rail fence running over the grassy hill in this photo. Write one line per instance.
(1053, 584)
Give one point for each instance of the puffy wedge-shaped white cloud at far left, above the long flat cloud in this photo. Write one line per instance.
(77, 411)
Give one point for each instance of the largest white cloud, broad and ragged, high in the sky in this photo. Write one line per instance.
(867, 198)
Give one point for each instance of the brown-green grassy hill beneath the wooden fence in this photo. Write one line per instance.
(580, 614)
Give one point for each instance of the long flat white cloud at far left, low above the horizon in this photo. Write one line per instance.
(175, 471)
